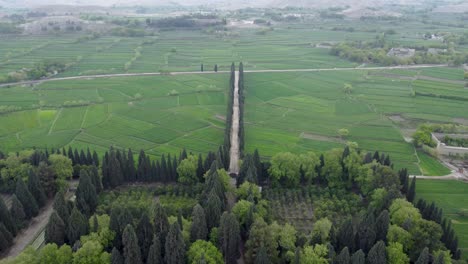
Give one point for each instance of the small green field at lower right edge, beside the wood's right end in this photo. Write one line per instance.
(452, 197)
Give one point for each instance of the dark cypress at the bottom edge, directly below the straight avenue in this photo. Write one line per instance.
(229, 237)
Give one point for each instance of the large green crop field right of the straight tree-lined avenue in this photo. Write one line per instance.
(303, 112)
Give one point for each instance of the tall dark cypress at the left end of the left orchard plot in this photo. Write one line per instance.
(86, 197)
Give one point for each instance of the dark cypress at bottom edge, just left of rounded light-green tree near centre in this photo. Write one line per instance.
(175, 246)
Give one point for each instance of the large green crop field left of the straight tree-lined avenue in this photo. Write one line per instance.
(158, 114)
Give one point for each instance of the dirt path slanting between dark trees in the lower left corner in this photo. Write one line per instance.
(27, 235)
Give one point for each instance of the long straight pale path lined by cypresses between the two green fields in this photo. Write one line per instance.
(234, 151)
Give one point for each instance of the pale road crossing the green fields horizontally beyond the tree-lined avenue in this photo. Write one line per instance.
(198, 72)
